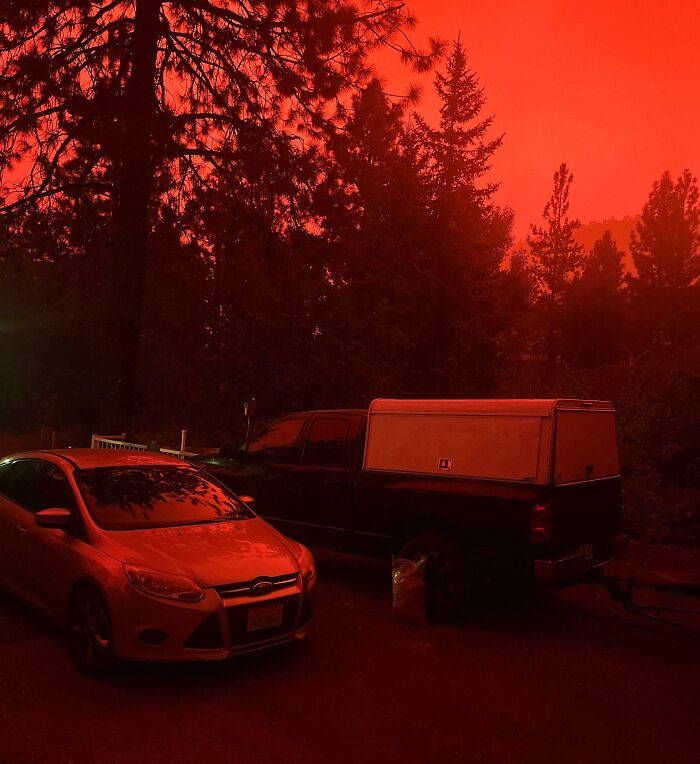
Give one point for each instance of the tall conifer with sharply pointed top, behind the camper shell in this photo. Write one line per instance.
(469, 235)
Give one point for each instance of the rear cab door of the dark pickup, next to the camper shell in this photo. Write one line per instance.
(320, 484)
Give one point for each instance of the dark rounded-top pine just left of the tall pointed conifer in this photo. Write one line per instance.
(375, 220)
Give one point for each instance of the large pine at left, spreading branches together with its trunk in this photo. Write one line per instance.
(105, 97)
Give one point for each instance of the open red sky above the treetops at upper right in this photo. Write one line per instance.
(610, 87)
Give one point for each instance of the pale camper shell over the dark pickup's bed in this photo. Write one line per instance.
(551, 441)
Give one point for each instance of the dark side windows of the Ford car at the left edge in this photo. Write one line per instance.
(37, 485)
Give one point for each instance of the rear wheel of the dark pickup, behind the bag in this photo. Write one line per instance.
(445, 574)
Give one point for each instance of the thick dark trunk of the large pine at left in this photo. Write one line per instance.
(131, 219)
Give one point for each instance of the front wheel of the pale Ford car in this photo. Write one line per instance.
(90, 639)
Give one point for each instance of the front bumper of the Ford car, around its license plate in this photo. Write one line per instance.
(153, 629)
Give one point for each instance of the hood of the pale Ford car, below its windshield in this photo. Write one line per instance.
(212, 554)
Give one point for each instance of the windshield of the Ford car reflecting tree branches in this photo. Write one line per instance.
(129, 498)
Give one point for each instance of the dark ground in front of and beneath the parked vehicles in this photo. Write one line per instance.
(572, 678)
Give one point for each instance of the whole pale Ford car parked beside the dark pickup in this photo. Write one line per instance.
(142, 556)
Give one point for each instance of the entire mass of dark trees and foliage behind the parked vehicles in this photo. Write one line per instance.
(204, 202)
